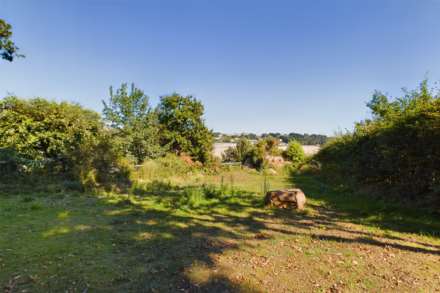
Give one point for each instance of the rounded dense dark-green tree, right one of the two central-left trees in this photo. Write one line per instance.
(182, 126)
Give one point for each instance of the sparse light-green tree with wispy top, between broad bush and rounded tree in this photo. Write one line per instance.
(135, 123)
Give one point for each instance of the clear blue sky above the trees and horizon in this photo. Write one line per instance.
(258, 66)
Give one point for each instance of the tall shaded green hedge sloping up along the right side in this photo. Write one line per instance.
(397, 152)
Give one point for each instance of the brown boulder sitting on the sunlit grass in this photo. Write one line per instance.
(287, 198)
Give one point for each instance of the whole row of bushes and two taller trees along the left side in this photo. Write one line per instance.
(46, 138)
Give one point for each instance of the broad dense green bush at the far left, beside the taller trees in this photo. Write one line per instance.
(40, 137)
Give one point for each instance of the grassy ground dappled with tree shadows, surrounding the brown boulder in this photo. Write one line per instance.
(184, 236)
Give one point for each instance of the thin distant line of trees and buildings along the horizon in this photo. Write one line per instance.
(304, 139)
